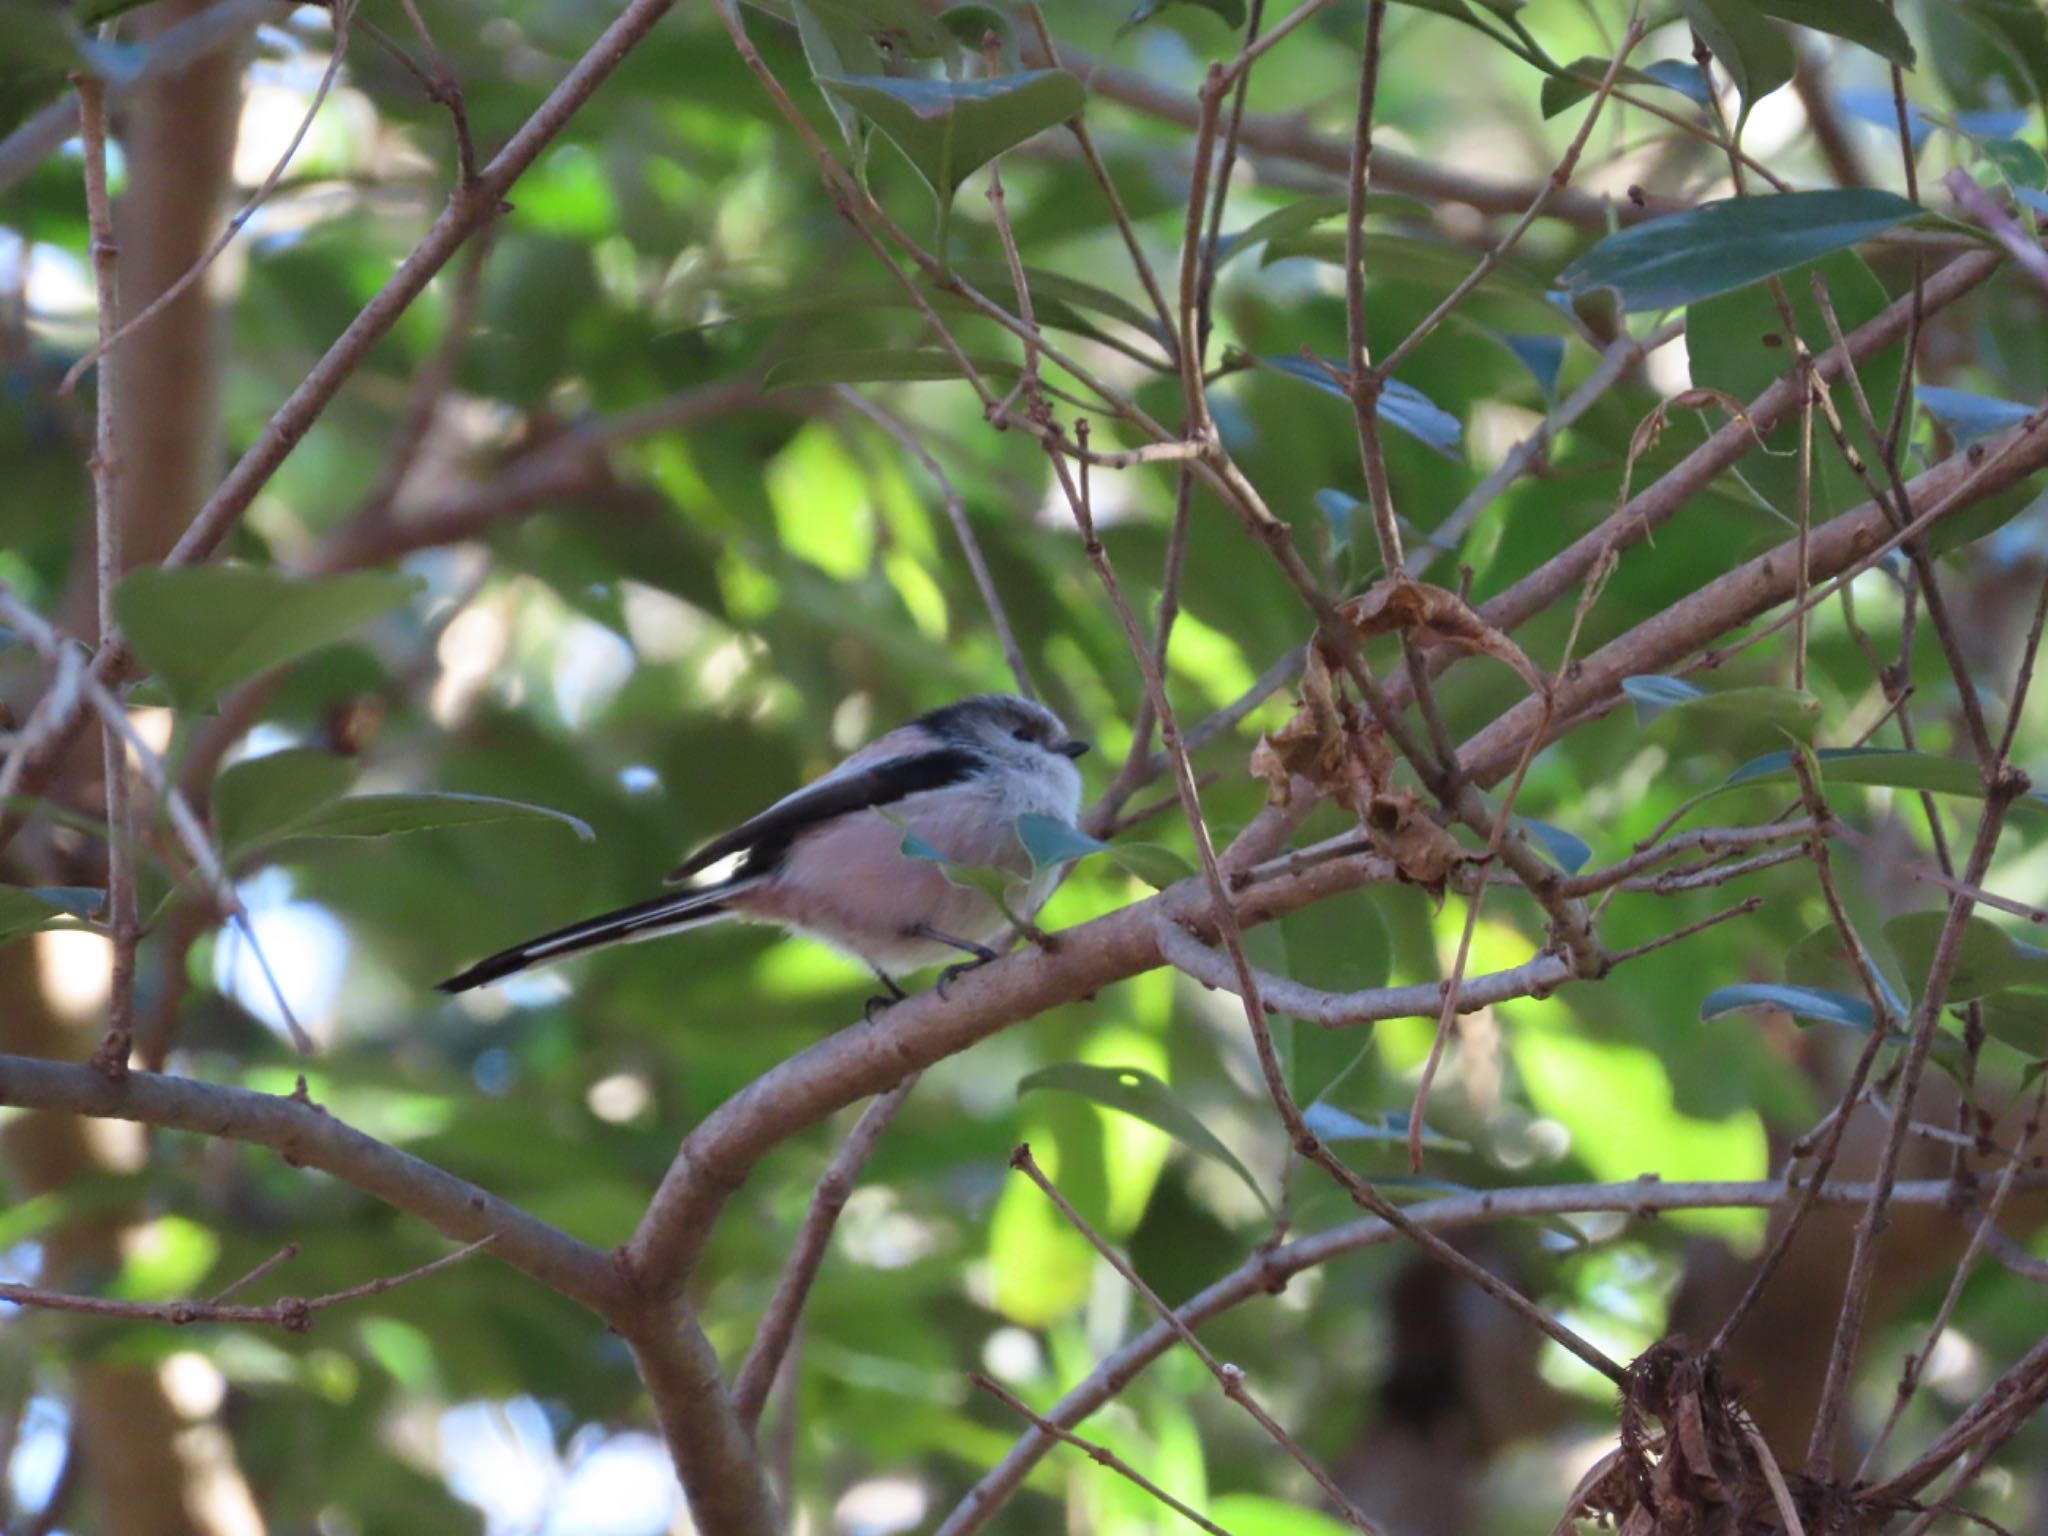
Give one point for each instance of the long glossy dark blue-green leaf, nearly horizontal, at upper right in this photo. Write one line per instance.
(1727, 245)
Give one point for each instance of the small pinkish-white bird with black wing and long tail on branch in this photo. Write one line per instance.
(830, 865)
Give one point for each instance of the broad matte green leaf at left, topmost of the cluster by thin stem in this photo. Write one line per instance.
(208, 628)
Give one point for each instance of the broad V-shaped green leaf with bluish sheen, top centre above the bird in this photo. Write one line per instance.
(953, 128)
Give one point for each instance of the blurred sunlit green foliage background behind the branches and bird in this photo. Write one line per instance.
(718, 587)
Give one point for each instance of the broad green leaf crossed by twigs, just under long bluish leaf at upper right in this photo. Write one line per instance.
(1736, 343)
